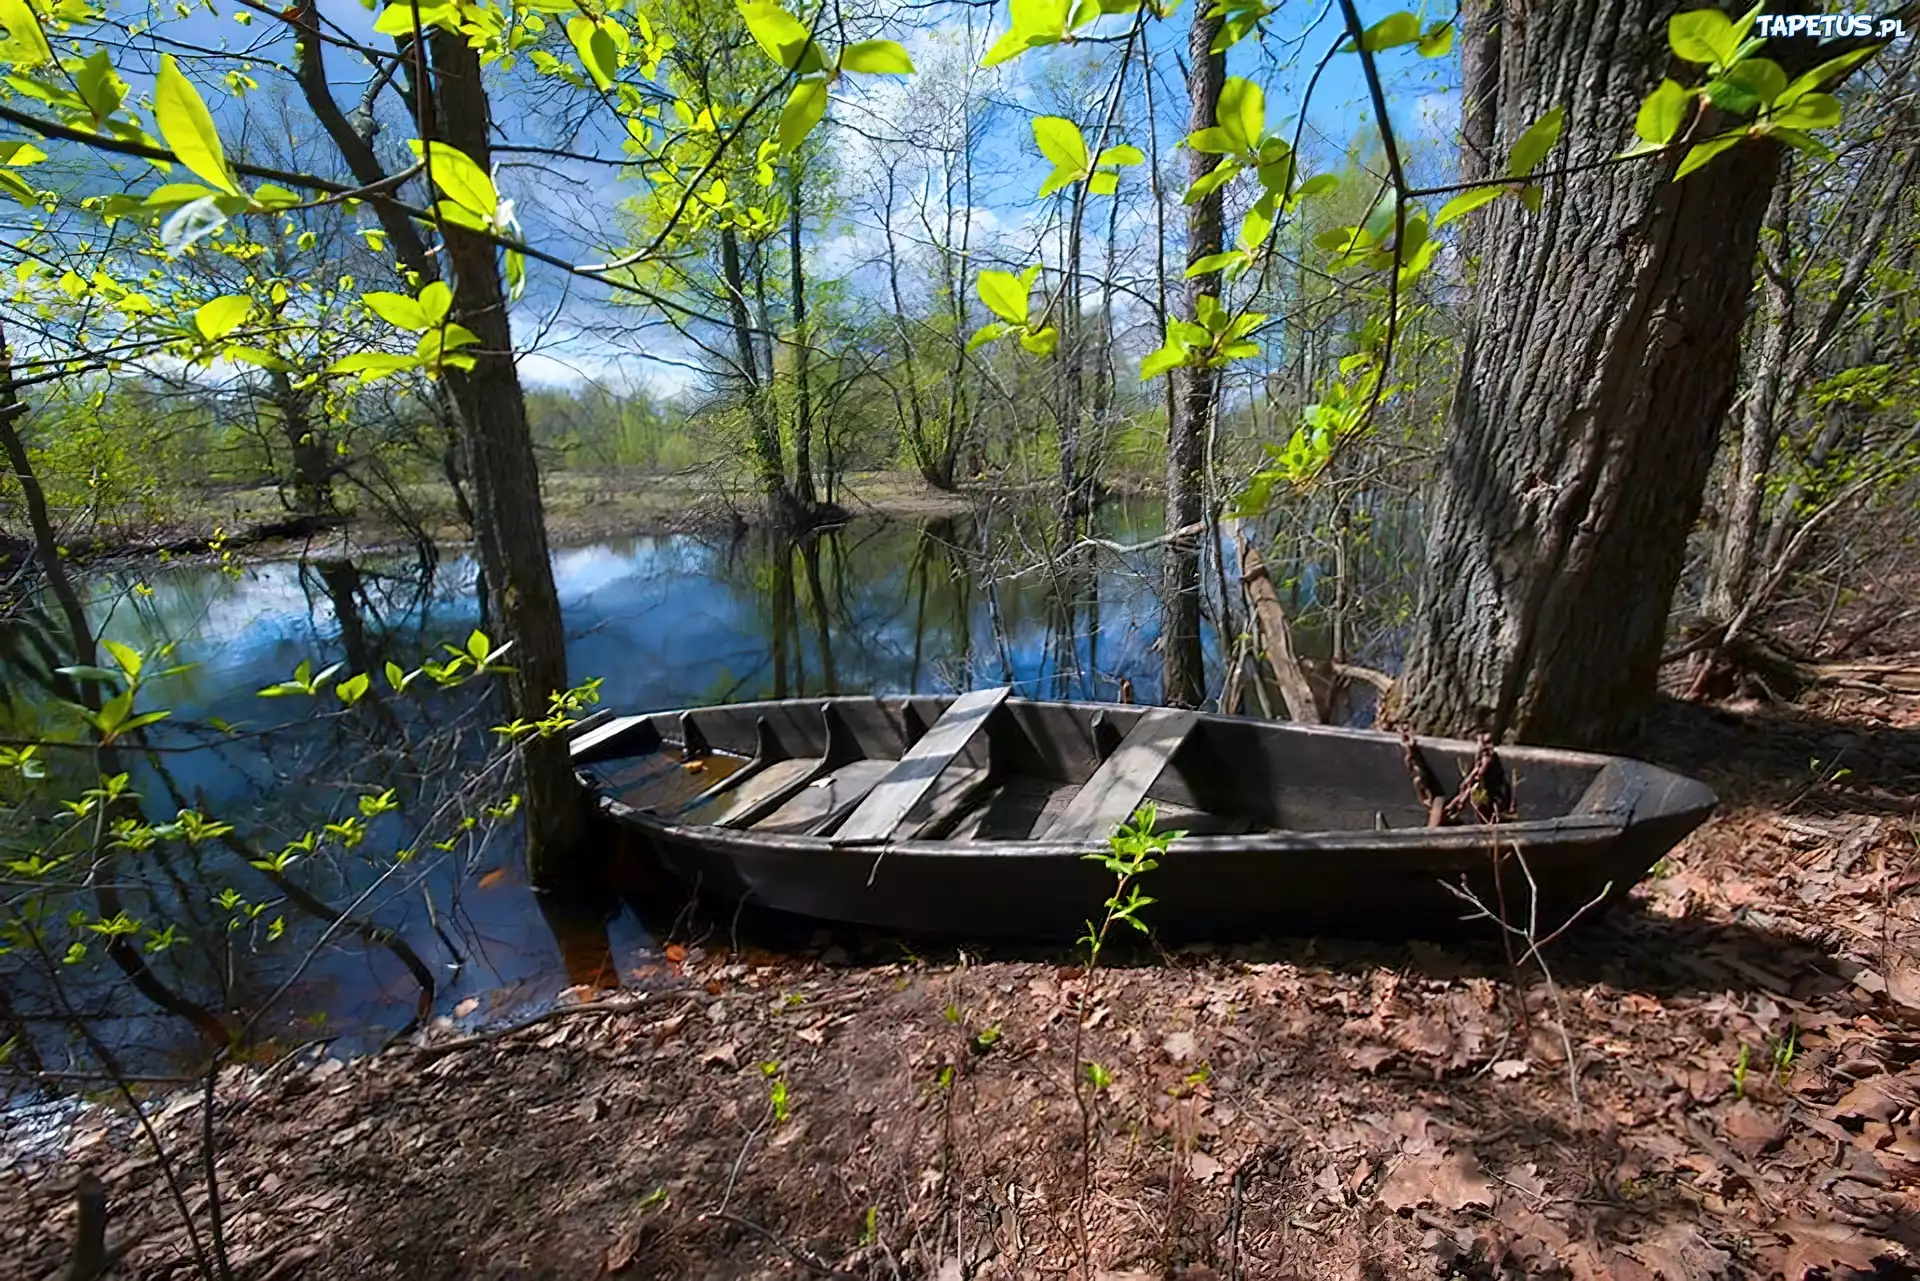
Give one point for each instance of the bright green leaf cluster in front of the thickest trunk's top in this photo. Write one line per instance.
(1739, 84)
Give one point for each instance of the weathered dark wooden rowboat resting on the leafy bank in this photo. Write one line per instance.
(974, 817)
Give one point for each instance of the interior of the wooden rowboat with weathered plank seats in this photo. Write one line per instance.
(988, 767)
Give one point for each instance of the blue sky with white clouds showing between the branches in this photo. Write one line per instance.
(569, 331)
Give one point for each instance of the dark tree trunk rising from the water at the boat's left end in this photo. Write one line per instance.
(506, 489)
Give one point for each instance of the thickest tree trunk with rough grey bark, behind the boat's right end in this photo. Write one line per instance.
(1600, 360)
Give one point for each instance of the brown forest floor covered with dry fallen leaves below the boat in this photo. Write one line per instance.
(1721, 1080)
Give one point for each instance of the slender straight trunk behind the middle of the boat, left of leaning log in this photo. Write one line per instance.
(1182, 664)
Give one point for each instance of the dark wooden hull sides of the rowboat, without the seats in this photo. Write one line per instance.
(1395, 884)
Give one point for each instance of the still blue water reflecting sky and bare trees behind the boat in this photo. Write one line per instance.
(663, 621)
